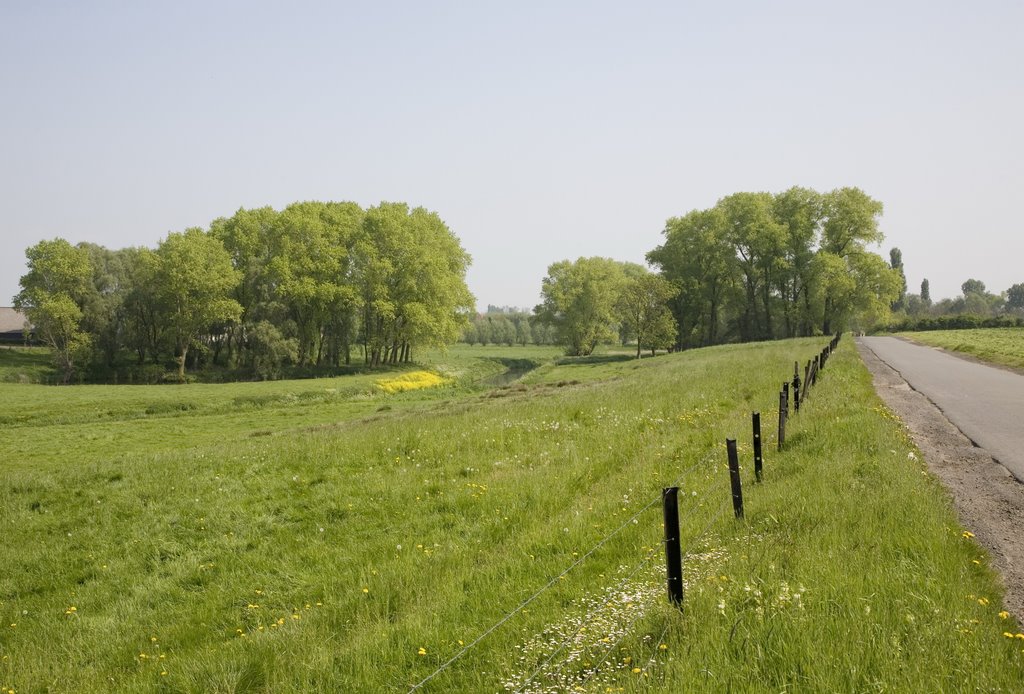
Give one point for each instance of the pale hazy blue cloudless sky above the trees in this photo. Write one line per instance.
(538, 132)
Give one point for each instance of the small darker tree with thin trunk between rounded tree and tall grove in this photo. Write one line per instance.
(644, 311)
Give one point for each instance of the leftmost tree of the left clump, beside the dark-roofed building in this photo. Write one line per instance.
(53, 295)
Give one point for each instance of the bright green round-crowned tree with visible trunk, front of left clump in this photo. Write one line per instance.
(194, 282)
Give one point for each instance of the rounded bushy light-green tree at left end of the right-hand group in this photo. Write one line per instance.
(579, 300)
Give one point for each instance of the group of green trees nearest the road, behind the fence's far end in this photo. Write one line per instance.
(755, 267)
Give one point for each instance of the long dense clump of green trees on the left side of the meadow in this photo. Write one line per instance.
(309, 285)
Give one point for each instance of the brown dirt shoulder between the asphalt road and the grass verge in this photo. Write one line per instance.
(989, 499)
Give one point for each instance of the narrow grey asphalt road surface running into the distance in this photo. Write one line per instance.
(987, 404)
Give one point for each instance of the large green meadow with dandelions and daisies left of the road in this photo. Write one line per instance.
(327, 536)
